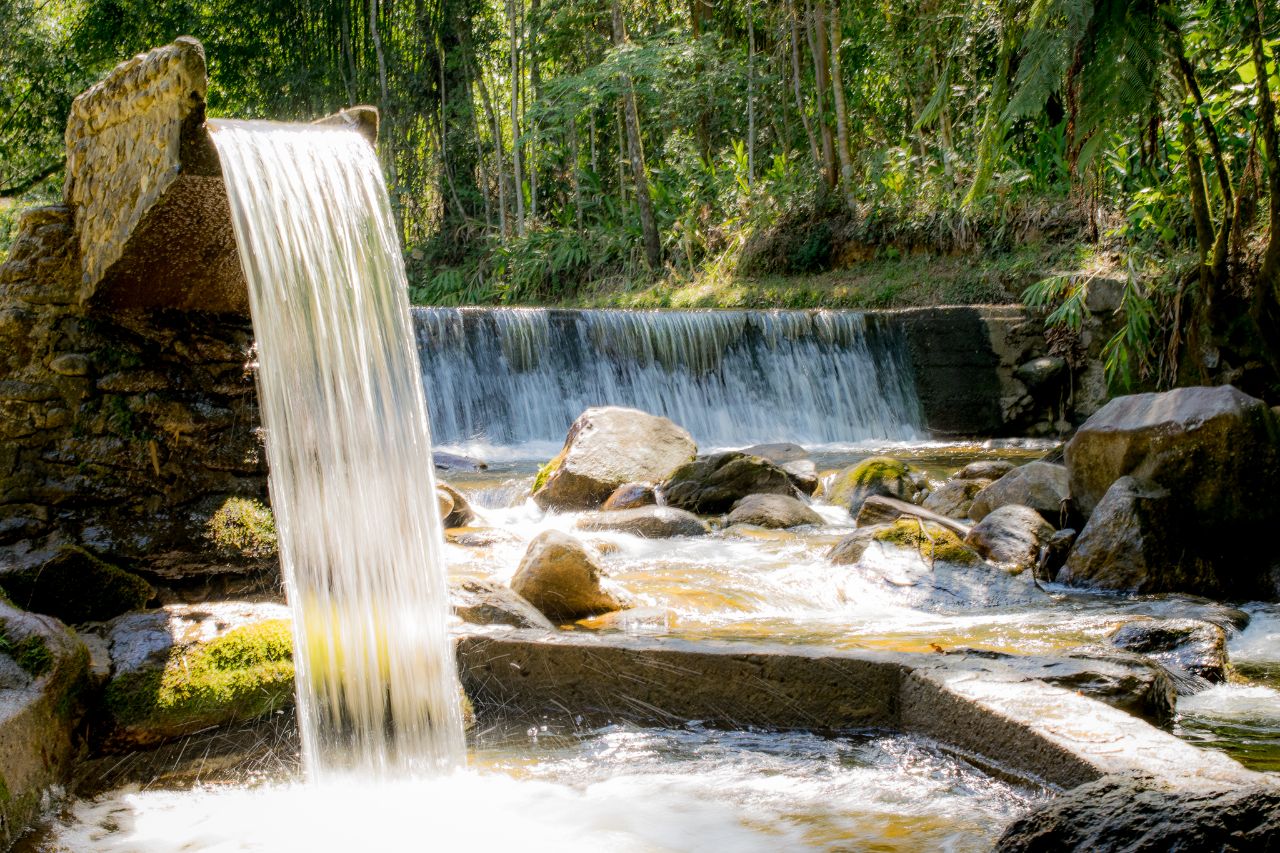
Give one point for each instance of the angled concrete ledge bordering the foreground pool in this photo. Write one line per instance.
(977, 706)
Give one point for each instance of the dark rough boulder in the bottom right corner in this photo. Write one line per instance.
(1123, 814)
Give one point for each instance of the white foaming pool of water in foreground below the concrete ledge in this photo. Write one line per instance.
(620, 790)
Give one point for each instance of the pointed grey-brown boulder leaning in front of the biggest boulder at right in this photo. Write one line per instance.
(1133, 542)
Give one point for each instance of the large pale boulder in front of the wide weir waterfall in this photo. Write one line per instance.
(607, 448)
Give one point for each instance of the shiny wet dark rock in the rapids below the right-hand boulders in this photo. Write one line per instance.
(1194, 651)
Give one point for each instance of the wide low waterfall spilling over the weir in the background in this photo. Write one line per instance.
(732, 378)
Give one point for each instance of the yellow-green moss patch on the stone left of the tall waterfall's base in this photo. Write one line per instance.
(241, 676)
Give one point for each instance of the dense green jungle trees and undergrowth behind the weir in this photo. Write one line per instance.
(714, 153)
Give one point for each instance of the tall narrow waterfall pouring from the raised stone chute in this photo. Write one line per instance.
(349, 448)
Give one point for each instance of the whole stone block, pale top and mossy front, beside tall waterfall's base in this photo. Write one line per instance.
(182, 669)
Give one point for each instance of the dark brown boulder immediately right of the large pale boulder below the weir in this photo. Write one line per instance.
(714, 485)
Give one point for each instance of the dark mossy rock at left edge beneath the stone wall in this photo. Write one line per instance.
(76, 587)
